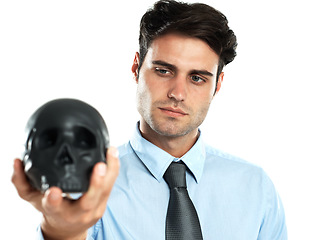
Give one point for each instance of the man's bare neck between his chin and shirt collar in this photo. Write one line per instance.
(176, 146)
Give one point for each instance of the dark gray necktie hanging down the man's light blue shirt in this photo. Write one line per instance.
(182, 222)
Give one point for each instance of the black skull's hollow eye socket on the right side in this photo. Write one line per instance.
(84, 138)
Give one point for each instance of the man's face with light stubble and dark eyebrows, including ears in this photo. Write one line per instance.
(176, 84)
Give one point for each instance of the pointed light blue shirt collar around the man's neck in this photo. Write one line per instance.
(157, 160)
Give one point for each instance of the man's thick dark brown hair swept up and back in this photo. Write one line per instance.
(194, 20)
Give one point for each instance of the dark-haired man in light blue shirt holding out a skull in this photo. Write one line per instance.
(183, 49)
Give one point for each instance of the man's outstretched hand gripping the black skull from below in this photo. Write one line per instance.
(67, 219)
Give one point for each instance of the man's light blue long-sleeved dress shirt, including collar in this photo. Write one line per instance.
(235, 200)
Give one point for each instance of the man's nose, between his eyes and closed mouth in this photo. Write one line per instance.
(178, 88)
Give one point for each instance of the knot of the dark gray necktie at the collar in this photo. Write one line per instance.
(175, 175)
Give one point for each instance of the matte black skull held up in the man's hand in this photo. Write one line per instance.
(66, 138)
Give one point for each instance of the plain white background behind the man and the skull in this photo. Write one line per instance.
(264, 112)
